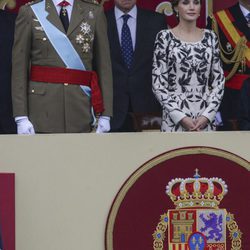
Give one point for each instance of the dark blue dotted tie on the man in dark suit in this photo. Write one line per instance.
(126, 42)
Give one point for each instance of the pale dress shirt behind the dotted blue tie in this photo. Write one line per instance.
(131, 22)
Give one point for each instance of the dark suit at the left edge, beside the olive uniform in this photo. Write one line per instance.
(7, 25)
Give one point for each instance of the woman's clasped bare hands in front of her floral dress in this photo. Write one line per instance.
(194, 124)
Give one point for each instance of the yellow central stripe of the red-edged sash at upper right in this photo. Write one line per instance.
(231, 30)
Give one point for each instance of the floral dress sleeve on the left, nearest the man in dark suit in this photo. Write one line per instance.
(162, 80)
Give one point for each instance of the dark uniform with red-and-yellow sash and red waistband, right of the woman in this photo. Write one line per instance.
(230, 103)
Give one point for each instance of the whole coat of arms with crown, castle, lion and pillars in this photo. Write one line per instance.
(197, 222)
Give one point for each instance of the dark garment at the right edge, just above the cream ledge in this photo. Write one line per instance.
(244, 108)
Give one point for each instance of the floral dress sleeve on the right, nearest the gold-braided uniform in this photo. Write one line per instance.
(216, 80)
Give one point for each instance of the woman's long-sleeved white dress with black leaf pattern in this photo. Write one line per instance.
(188, 79)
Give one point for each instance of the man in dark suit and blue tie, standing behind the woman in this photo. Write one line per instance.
(131, 46)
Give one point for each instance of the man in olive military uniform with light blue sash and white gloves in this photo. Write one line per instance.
(59, 47)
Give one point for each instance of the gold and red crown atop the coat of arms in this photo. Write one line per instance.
(197, 191)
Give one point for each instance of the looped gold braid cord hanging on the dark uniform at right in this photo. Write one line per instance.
(237, 54)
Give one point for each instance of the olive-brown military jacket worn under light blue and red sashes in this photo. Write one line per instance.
(59, 108)
